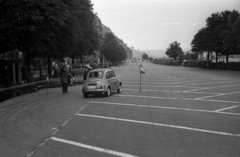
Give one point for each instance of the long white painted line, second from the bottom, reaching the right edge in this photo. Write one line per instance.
(160, 124)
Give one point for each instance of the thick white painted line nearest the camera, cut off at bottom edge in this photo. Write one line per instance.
(107, 151)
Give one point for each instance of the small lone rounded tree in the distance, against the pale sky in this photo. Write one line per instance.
(174, 50)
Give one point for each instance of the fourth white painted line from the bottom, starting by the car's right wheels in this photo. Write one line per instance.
(155, 97)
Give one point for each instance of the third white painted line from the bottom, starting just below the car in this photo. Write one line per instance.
(162, 107)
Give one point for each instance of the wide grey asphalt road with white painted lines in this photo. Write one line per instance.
(179, 112)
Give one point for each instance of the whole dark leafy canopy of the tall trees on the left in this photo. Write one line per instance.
(48, 27)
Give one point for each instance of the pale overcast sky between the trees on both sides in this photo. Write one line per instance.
(154, 24)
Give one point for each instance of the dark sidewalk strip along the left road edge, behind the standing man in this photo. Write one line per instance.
(17, 90)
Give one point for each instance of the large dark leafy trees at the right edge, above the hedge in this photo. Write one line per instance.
(218, 36)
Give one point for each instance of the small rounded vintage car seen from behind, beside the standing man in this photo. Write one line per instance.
(101, 81)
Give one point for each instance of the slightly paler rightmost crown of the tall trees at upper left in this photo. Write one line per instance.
(80, 36)
